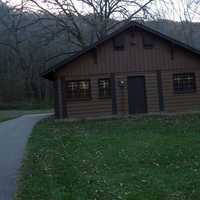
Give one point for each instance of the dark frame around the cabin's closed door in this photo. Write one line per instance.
(145, 94)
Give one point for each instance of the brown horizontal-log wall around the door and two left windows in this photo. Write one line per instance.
(97, 107)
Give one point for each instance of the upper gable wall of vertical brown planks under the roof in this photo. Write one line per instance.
(134, 58)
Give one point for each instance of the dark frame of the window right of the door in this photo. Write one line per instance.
(184, 90)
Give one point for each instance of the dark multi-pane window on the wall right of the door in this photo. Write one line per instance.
(184, 82)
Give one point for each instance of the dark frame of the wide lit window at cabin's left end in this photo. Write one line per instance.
(78, 98)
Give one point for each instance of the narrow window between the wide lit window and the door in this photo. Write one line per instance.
(104, 88)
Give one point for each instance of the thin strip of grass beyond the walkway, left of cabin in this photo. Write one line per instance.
(11, 114)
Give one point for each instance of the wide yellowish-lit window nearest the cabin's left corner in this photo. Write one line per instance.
(78, 89)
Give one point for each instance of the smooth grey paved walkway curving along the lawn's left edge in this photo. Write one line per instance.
(13, 137)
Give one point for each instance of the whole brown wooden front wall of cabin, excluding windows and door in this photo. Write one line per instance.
(132, 61)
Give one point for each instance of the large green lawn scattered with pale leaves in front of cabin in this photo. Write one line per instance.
(150, 158)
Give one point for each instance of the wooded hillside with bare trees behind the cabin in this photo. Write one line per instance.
(34, 37)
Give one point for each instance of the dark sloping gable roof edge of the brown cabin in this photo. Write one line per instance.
(48, 74)
